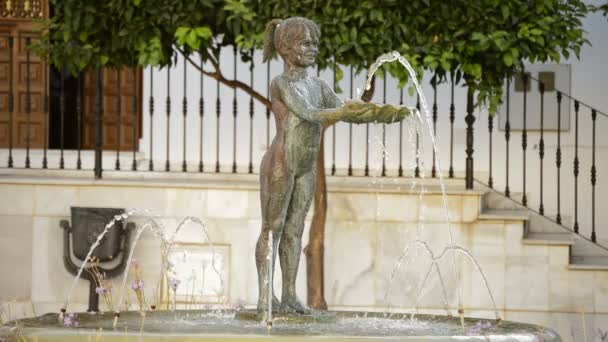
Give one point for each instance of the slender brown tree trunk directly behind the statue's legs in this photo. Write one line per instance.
(315, 249)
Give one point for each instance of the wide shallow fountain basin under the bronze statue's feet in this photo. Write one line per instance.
(208, 325)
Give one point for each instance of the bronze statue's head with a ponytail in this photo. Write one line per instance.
(296, 40)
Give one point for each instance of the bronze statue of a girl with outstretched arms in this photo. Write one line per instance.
(302, 105)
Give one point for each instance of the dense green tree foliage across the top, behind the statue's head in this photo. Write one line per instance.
(481, 42)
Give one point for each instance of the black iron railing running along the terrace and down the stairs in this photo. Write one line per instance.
(546, 197)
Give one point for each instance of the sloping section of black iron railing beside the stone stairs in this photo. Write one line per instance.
(584, 114)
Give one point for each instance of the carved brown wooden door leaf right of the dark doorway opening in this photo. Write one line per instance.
(120, 123)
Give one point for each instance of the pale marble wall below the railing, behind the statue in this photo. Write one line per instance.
(366, 234)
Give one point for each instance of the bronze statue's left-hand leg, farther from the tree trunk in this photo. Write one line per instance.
(276, 188)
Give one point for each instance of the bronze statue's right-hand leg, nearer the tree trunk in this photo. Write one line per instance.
(290, 246)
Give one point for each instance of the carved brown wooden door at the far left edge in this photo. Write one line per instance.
(17, 21)
